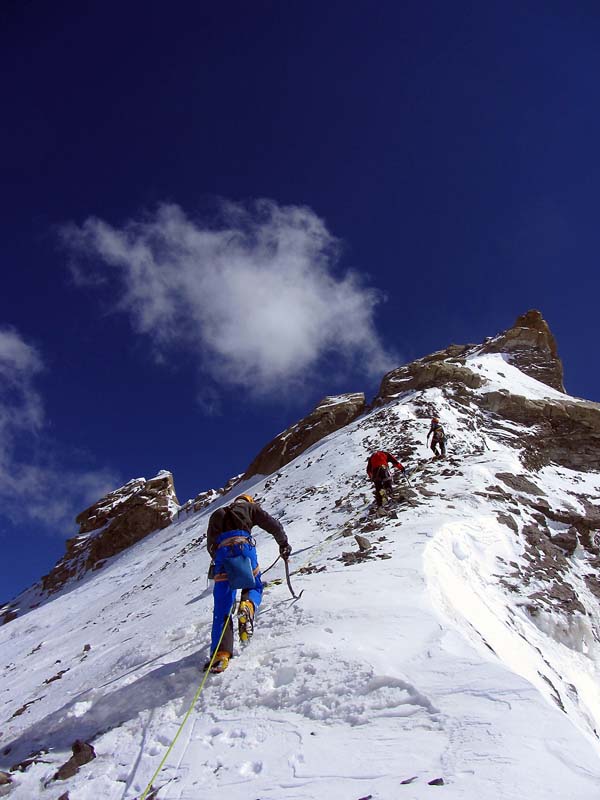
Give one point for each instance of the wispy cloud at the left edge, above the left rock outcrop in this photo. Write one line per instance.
(37, 488)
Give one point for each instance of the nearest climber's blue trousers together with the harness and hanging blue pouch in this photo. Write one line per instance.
(236, 567)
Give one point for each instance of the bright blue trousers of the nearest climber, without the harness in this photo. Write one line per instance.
(224, 595)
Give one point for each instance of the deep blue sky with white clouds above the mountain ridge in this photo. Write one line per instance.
(215, 214)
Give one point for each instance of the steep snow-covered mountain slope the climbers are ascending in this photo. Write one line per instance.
(463, 645)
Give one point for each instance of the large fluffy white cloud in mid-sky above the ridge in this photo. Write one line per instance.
(255, 296)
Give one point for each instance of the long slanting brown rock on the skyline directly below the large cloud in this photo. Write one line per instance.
(330, 415)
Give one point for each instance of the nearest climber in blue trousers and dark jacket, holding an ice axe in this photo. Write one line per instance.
(233, 551)
